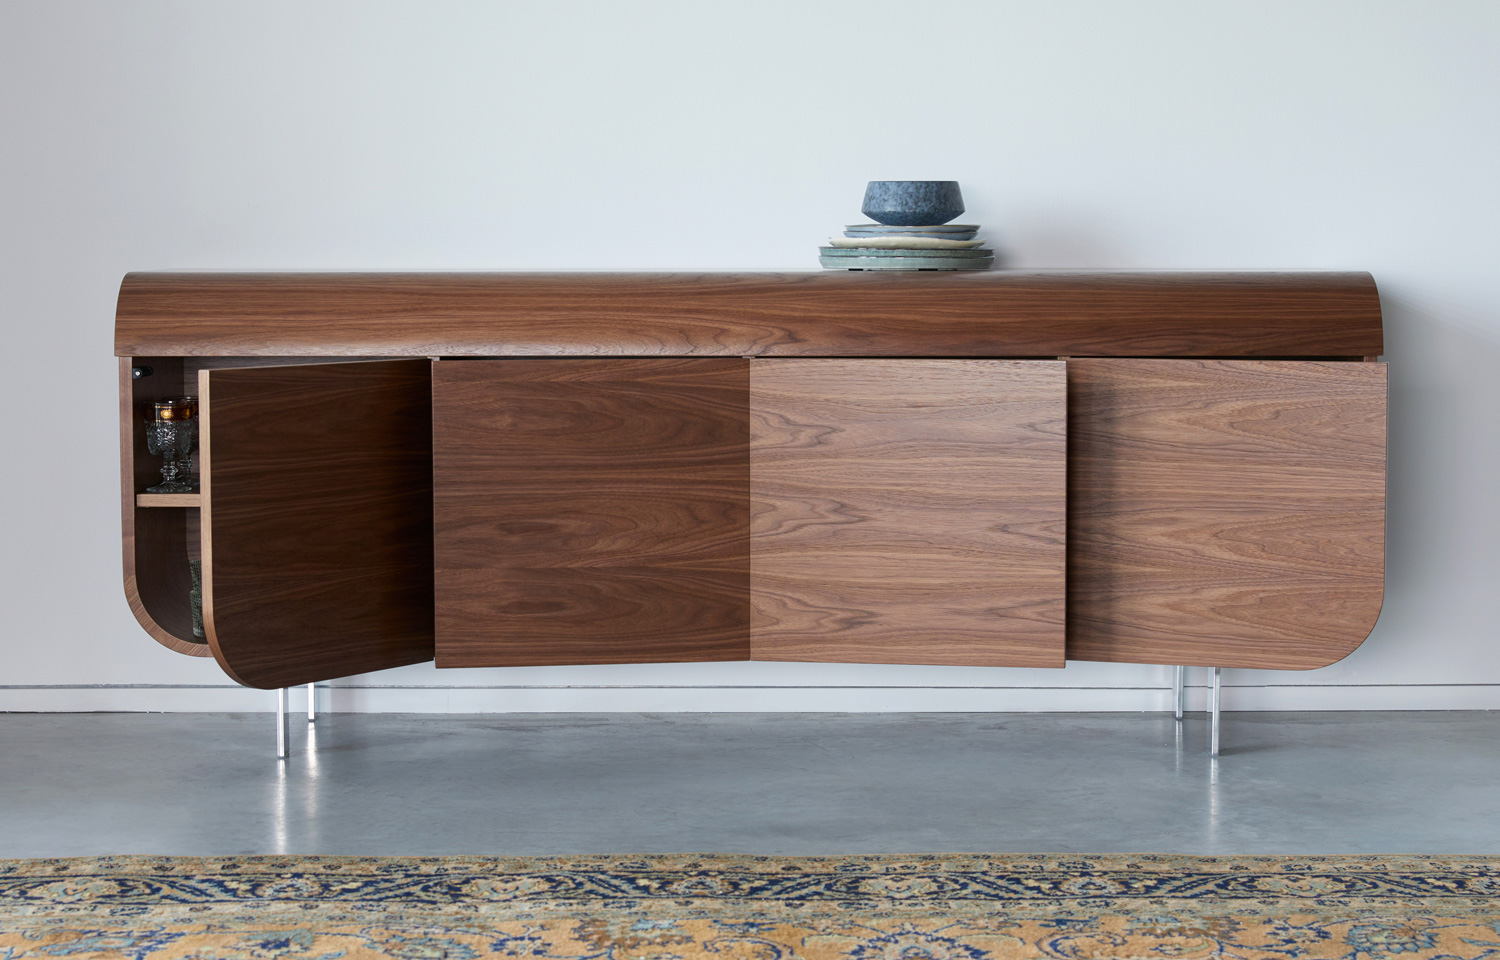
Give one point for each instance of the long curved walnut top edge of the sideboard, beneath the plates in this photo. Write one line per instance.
(1001, 314)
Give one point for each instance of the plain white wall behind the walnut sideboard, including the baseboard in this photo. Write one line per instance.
(293, 136)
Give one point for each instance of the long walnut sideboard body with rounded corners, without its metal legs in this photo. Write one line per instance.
(962, 469)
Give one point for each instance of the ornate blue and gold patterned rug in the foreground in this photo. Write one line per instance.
(752, 908)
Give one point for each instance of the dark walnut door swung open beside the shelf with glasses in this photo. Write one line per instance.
(317, 520)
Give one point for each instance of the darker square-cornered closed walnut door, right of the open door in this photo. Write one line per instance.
(592, 511)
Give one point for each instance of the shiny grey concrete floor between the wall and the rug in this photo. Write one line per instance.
(763, 784)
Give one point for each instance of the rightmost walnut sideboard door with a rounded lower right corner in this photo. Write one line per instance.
(1225, 514)
